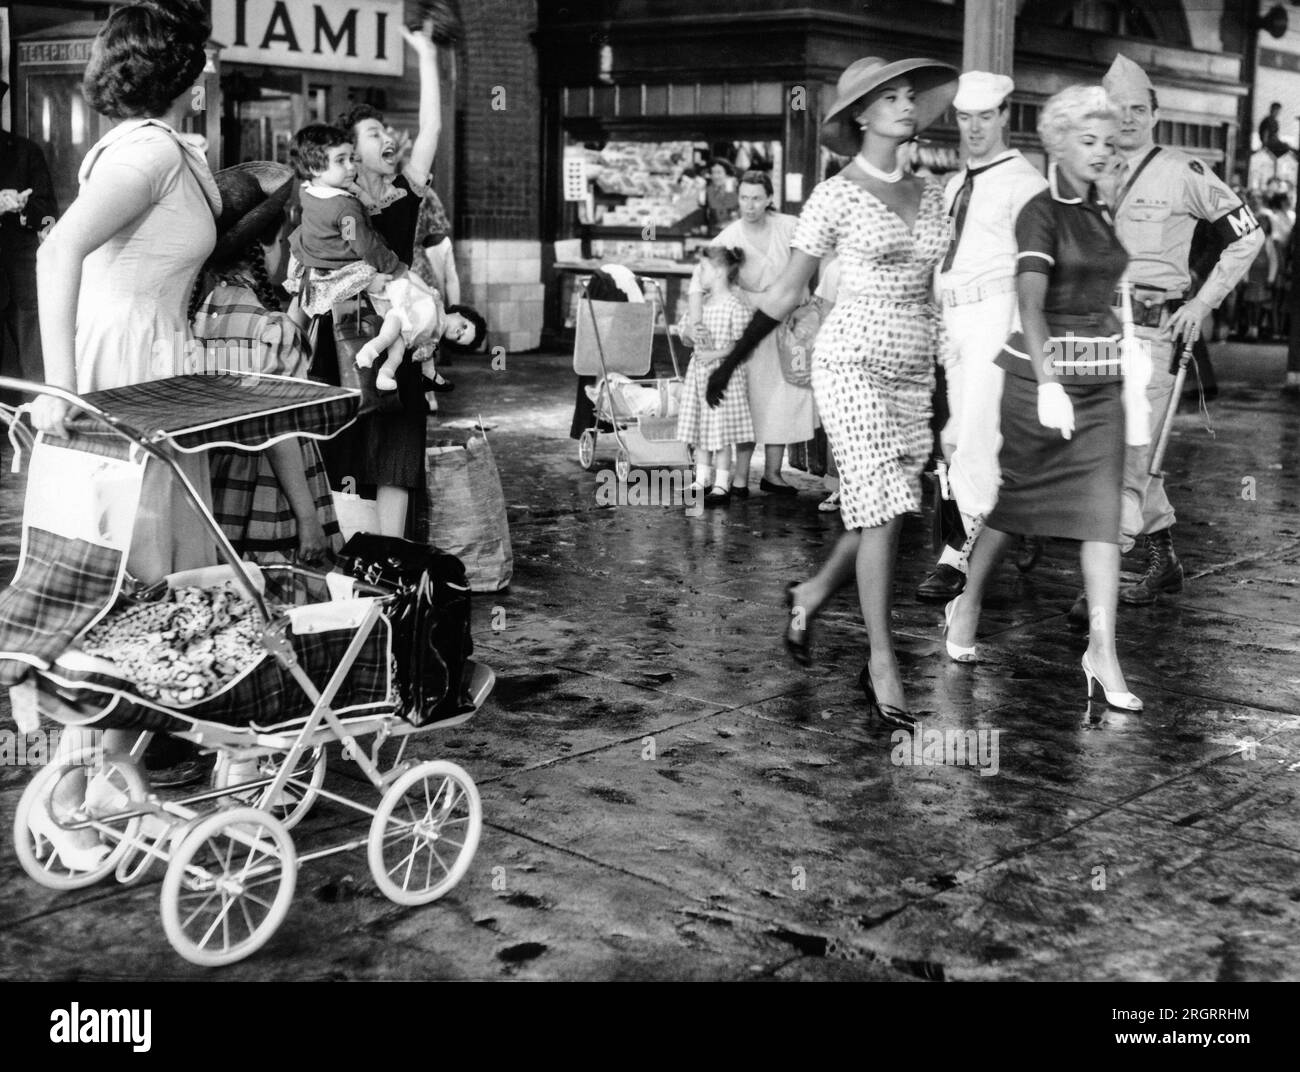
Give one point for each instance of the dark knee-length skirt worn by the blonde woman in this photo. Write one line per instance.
(1055, 487)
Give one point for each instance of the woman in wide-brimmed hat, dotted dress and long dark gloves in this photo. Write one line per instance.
(873, 366)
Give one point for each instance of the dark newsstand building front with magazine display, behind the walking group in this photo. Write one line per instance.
(639, 93)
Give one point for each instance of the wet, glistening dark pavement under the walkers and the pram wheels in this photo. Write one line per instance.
(666, 796)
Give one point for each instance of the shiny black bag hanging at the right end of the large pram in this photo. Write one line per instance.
(430, 618)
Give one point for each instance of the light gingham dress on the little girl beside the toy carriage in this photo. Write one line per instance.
(708, 429)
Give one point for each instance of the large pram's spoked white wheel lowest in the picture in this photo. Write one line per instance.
(228, 887)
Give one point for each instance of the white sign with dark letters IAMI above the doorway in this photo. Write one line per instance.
(336, 36)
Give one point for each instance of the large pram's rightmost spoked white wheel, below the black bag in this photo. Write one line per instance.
(426, 834)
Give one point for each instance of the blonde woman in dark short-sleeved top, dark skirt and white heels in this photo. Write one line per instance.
(1063, 452)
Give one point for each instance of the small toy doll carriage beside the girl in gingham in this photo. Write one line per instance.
(614, 342)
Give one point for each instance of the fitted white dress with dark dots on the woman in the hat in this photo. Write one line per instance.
(873, 363)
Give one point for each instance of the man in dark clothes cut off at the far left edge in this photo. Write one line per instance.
(27, 210)
